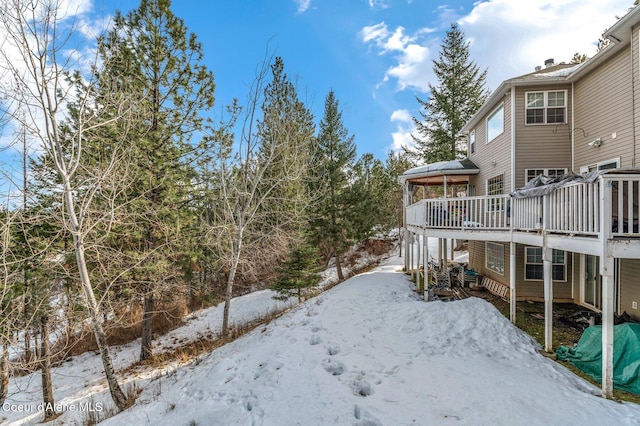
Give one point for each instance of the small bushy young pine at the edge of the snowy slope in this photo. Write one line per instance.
(298, 273)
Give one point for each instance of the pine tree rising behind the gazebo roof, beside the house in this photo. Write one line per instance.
(459, 94)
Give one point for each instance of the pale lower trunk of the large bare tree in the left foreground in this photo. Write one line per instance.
(90, 299)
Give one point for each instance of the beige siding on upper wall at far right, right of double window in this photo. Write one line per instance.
(604, 109)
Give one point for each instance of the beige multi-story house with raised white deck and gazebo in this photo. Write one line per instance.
(577, 240)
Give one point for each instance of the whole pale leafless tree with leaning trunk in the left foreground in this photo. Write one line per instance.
(37, 96)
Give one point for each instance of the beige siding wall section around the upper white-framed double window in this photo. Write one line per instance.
(540, 146)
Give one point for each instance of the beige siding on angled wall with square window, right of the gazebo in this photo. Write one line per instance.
(498, 150)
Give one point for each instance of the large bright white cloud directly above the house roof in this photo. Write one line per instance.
(511, 37)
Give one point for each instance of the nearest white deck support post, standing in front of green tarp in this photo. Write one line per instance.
(608, 284)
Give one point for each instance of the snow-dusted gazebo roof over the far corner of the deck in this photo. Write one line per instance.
(455, 171)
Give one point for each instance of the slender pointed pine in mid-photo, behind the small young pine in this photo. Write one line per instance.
(333, 158)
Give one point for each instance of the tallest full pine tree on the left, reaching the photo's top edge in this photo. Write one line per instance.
(151, 53)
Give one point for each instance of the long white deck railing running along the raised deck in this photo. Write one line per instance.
(612, 202)
